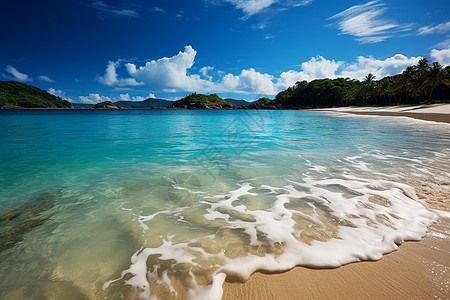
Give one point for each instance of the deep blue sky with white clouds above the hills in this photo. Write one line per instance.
(88, 51)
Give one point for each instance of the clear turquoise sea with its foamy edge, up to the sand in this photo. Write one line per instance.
(167, 203)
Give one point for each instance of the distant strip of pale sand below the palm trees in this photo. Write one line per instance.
(436, 113)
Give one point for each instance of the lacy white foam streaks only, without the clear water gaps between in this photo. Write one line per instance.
(377, 228)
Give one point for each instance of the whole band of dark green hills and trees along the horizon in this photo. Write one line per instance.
(422, 83)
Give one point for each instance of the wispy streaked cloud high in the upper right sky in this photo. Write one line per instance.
(367, 23)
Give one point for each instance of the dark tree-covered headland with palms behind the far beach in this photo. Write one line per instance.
(423, 83)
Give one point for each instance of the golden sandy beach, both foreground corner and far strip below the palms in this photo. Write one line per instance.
(417, 270)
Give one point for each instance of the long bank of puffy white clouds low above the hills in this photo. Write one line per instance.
(171, 74)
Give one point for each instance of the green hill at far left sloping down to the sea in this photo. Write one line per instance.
(17, 94)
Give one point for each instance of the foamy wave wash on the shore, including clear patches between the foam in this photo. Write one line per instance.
(313, 222)
